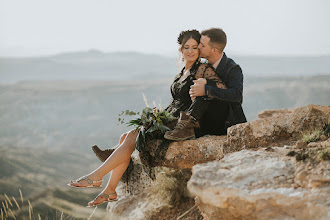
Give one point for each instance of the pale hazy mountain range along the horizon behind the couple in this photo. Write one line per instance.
(96, 65)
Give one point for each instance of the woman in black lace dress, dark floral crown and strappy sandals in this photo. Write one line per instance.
(119, 160)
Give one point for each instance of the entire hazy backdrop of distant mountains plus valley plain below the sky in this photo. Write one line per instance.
(72, 100)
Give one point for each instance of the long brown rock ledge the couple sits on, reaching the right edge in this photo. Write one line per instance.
(273, 128)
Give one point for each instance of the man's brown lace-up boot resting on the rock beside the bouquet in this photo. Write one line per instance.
(184, 129)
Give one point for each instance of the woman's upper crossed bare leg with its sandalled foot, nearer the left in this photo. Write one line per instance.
(119, 156)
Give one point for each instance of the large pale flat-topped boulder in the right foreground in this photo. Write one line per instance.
(257, 185)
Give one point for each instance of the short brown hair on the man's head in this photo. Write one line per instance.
(218, 38)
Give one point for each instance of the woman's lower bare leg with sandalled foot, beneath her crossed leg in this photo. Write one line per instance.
(110, 189)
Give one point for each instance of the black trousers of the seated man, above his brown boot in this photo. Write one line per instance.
(211, 115)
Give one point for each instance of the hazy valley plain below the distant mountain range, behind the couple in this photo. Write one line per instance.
(74, 115)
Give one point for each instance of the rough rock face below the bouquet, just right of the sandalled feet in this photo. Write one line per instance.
(169, 189)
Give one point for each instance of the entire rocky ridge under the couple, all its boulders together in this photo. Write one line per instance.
(261, 170)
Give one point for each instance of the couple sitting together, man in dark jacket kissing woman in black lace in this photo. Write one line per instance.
(206, 99)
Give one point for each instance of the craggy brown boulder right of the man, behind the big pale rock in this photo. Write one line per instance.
(278, 127)
